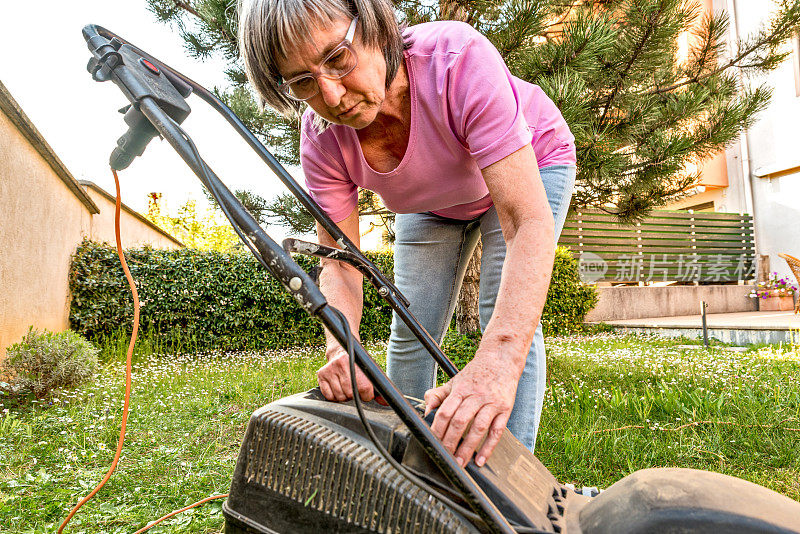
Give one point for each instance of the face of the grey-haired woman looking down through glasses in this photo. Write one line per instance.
(353, 100)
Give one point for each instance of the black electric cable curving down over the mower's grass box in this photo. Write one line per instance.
(475, 518)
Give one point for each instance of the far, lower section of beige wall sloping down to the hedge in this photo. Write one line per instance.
(134, 231)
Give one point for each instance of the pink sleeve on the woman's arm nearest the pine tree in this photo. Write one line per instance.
(484, 103)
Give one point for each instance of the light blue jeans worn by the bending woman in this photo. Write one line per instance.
(431, 254)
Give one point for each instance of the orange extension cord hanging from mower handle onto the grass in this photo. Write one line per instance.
(127, 385)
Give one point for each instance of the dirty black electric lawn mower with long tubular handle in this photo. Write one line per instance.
(310, 465)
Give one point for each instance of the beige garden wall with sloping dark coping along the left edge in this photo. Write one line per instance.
(45, 215)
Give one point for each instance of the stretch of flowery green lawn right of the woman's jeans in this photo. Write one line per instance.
(743, 404)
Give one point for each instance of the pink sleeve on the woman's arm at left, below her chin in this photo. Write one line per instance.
(326, 178)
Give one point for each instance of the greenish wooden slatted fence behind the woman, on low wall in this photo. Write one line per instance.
(666, 246)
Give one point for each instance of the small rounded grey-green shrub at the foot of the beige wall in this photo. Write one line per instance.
(44, 361)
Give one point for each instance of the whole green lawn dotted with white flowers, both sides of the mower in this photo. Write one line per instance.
(615, 404)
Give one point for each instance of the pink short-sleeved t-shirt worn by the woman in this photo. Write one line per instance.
(467, 112)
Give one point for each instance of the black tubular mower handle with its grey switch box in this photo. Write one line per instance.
(158, 105)
